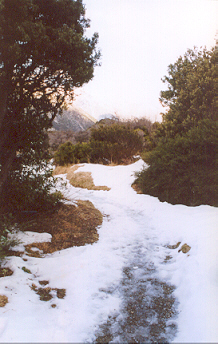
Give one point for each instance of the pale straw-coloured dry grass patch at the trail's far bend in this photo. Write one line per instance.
(80, 179)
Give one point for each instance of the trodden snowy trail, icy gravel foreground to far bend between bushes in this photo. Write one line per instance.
(145, 309)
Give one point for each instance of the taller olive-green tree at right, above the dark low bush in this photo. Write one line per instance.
(192, 92)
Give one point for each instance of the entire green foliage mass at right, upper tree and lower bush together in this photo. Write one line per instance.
(183, 163)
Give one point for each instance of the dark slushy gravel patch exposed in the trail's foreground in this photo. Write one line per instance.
(147, 313)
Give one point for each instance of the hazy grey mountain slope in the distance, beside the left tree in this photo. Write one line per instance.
(74, 119)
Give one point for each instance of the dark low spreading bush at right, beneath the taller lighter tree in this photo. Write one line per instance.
(184, 169)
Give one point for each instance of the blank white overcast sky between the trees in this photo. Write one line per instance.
(138, 39)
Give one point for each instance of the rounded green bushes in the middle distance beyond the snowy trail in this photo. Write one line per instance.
(108, 144)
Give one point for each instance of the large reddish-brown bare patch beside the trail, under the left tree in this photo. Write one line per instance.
(69, 226)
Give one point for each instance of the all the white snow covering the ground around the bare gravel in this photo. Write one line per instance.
(135, 235)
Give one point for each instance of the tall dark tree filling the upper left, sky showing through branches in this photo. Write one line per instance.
(44, 54)
